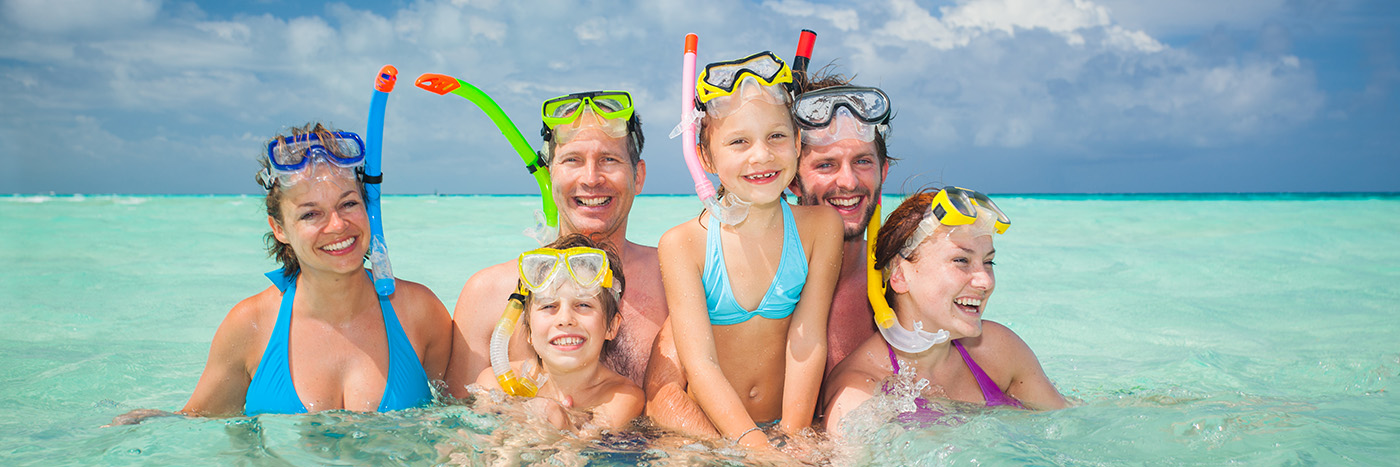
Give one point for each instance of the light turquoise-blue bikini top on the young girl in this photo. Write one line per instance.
(783, 293)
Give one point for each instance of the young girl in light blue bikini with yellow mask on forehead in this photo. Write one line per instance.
(748, 297)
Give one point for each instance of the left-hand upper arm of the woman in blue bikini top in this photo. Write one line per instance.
(223, 387)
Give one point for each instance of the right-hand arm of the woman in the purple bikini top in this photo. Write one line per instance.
(1030, 384)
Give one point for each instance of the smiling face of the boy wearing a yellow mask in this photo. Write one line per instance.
(568, 332)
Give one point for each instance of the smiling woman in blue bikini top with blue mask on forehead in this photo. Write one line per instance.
(338, 346)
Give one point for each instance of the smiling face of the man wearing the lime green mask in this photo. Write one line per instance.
(596, 182)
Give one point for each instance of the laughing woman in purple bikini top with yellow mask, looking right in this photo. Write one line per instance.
(937, 257)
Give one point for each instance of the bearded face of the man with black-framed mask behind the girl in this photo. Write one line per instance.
(845, 175)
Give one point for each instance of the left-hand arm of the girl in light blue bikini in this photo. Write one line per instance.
(681, 268)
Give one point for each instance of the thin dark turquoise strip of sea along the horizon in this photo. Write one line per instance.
(1146, 196)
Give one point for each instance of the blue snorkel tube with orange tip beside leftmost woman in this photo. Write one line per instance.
(373, 175)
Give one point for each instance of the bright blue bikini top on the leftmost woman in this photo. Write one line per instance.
(272, 391)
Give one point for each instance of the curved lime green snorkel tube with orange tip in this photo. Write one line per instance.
(443, 85)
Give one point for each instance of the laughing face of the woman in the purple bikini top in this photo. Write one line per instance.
(947, 280)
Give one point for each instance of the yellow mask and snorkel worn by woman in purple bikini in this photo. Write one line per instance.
(951, 206)
